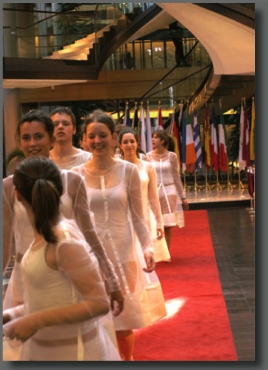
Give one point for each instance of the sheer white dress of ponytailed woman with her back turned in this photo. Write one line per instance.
(46, 288)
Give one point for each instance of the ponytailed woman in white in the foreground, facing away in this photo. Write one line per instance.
(64, 294)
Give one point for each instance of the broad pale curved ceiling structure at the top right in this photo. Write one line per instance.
(230, 44)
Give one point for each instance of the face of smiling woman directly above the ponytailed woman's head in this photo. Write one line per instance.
(34, 139)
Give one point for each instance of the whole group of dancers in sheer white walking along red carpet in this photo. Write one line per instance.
(86, 227)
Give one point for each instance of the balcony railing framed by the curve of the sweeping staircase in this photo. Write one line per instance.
(176, 81)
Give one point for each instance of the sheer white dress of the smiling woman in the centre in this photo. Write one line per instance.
(116, 201)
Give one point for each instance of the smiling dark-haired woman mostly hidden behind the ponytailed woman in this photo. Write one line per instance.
(35, 135)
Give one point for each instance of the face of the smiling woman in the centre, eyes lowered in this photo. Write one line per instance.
(99, 139)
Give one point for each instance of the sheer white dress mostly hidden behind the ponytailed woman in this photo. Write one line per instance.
(17, 230)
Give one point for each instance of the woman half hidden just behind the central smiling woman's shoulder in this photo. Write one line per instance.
(129, 143)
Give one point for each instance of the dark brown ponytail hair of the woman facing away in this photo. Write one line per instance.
(39, 182)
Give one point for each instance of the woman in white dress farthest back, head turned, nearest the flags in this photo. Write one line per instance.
(170, 188)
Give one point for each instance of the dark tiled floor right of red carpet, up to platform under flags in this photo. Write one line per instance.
(232, 227)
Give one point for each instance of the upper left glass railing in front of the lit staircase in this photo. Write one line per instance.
(37, 30)
